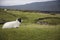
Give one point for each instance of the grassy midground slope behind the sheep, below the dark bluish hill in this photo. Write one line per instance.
(31, 16)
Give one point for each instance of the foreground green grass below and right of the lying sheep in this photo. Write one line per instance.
(29, 32)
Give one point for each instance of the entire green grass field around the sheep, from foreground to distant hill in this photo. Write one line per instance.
(29, 30)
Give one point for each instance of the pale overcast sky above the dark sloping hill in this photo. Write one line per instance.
(19, 2)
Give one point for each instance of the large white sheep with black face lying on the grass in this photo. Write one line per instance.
(12, 24)
